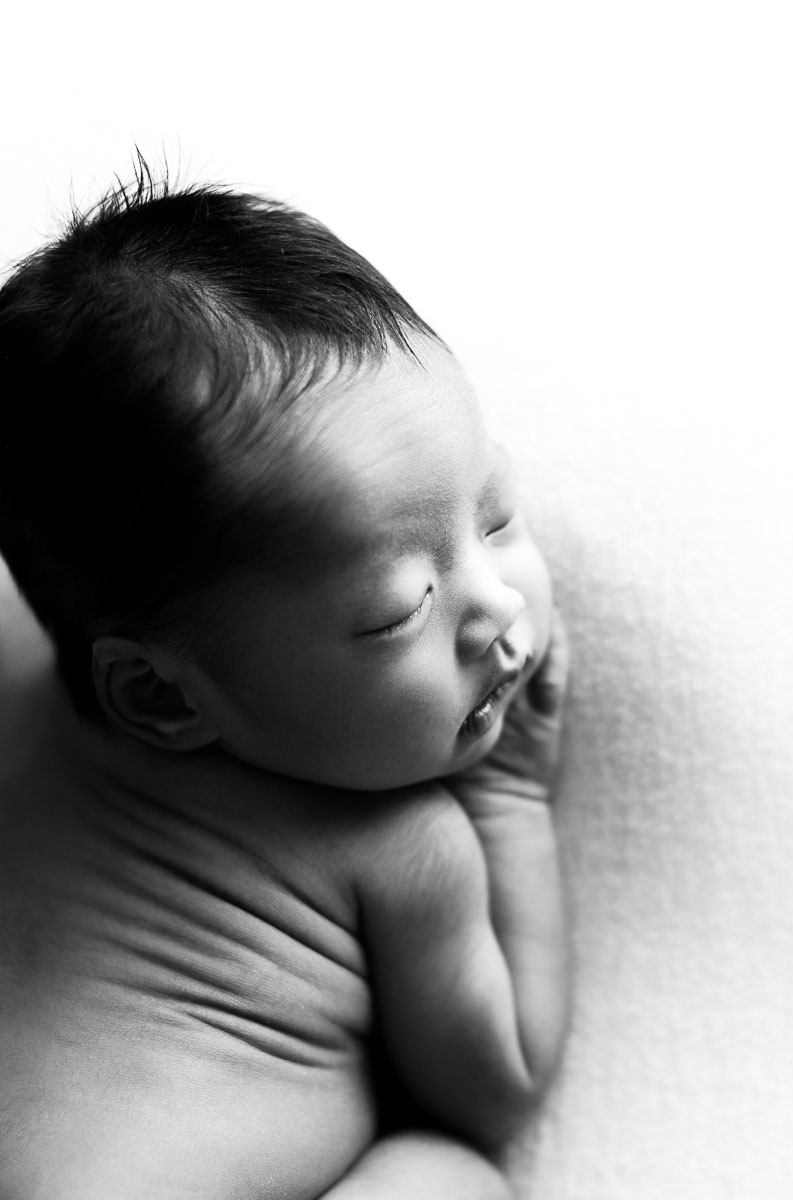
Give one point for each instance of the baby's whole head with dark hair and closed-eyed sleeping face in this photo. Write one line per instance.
(249, 493)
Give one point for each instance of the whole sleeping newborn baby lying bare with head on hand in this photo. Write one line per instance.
(292, 791)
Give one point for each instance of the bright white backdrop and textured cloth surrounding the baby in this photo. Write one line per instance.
(593, 203)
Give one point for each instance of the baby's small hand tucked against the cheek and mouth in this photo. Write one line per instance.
(524, 761)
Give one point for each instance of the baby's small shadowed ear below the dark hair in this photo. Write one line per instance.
(136, 698)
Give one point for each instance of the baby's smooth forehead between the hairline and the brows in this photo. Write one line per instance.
(374, 457)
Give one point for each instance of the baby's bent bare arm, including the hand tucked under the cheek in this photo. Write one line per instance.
(466, 933)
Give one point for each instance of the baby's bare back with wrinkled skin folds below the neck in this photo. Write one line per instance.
(184, 1004)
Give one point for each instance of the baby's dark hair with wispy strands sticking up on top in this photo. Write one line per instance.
(146, 356)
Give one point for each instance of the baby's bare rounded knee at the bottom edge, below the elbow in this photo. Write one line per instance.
(420, 1166)
